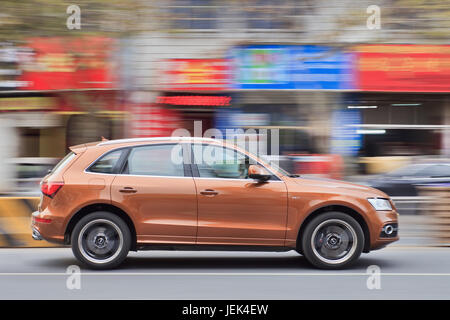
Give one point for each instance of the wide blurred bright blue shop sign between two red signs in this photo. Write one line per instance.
(291, 67)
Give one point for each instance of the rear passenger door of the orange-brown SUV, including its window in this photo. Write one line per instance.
(156, 188)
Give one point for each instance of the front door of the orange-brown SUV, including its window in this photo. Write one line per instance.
(232, 208)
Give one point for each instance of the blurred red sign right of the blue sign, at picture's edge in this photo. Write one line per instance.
(409, 68)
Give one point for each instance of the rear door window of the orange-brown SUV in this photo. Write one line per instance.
(156, 160)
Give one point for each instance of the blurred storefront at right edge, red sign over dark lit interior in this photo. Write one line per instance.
(403, 98)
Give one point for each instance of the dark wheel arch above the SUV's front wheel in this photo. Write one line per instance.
(339, 208)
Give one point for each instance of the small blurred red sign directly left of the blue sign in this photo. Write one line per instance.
(196, 74)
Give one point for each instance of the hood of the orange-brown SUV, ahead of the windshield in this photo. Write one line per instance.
(334, 185)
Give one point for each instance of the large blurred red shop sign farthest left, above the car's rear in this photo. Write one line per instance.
(68, 63)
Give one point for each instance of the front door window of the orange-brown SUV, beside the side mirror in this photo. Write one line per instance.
(220, 162)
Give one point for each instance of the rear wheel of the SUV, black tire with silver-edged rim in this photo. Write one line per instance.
(101, 240)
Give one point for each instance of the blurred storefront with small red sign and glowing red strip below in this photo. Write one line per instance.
(191, 91)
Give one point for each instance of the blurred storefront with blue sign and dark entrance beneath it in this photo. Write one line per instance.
(293, 88)
